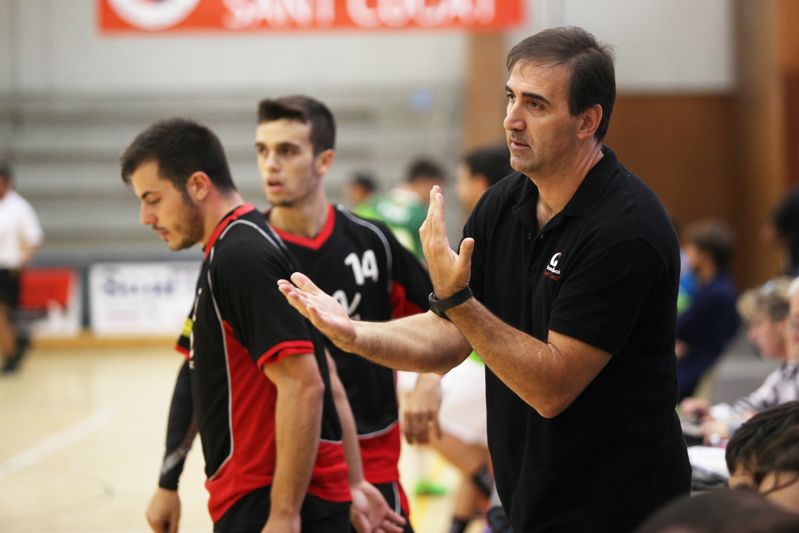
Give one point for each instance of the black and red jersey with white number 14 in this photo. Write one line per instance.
(363, 266)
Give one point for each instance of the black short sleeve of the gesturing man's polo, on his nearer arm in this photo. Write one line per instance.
(603, 295)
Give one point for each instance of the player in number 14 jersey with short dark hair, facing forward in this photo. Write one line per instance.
(360, 262)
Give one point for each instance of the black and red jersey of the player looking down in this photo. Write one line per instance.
(241, 322)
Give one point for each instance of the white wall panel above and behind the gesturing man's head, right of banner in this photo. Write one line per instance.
(661, 45)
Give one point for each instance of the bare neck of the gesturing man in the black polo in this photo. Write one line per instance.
(557, 188)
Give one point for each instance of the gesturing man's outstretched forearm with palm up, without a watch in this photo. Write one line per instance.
(418, 343)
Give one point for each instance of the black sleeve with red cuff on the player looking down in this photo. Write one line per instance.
(245, 278)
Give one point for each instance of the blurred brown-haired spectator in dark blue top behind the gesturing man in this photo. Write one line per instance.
(710, 323)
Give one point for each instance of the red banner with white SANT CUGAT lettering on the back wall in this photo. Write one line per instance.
(132, 16)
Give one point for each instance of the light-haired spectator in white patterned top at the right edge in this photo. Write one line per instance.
(766, 311)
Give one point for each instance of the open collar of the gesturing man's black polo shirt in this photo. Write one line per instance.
(584, 198)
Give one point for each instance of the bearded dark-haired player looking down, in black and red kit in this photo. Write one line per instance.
(259, 384)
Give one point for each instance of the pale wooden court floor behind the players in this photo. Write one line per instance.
(81, 438)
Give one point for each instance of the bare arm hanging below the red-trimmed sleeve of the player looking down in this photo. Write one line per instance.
(298, 419)
